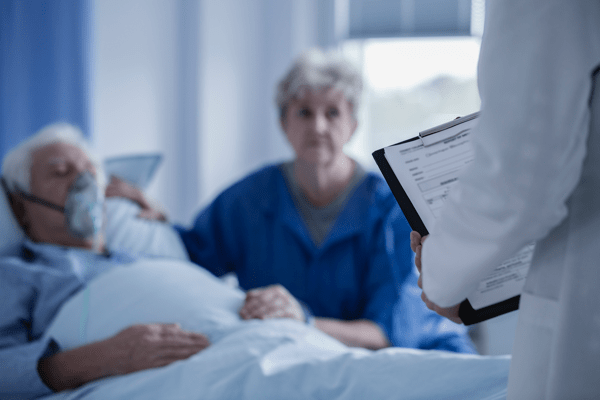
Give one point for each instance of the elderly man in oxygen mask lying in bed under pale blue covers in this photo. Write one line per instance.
(73, 313)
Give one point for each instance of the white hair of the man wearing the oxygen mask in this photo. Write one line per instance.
(16, 167)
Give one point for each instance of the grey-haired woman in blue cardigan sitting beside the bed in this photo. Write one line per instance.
(318, 238)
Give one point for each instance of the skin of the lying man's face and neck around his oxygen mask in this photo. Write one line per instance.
(54, 168)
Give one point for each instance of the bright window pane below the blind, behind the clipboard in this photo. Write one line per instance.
(411, 84)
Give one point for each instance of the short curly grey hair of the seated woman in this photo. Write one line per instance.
(317, 69)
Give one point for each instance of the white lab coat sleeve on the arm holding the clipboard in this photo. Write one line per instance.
(534, 82)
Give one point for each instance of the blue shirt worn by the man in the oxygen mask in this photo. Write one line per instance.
(33, 286)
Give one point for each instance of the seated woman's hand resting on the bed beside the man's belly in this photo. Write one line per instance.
(272, 301)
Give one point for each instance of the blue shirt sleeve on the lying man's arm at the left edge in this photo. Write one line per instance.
(19, 354)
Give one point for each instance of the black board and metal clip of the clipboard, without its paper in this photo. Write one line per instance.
(429, 137)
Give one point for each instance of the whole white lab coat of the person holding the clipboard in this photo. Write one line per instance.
(536, 176)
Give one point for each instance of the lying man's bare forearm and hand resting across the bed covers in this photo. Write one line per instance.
(133, 349)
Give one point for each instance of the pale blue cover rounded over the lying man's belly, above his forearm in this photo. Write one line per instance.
(148, 291)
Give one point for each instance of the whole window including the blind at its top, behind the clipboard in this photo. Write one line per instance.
(416, 80)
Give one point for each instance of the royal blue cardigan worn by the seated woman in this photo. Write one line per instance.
(364, 269)
